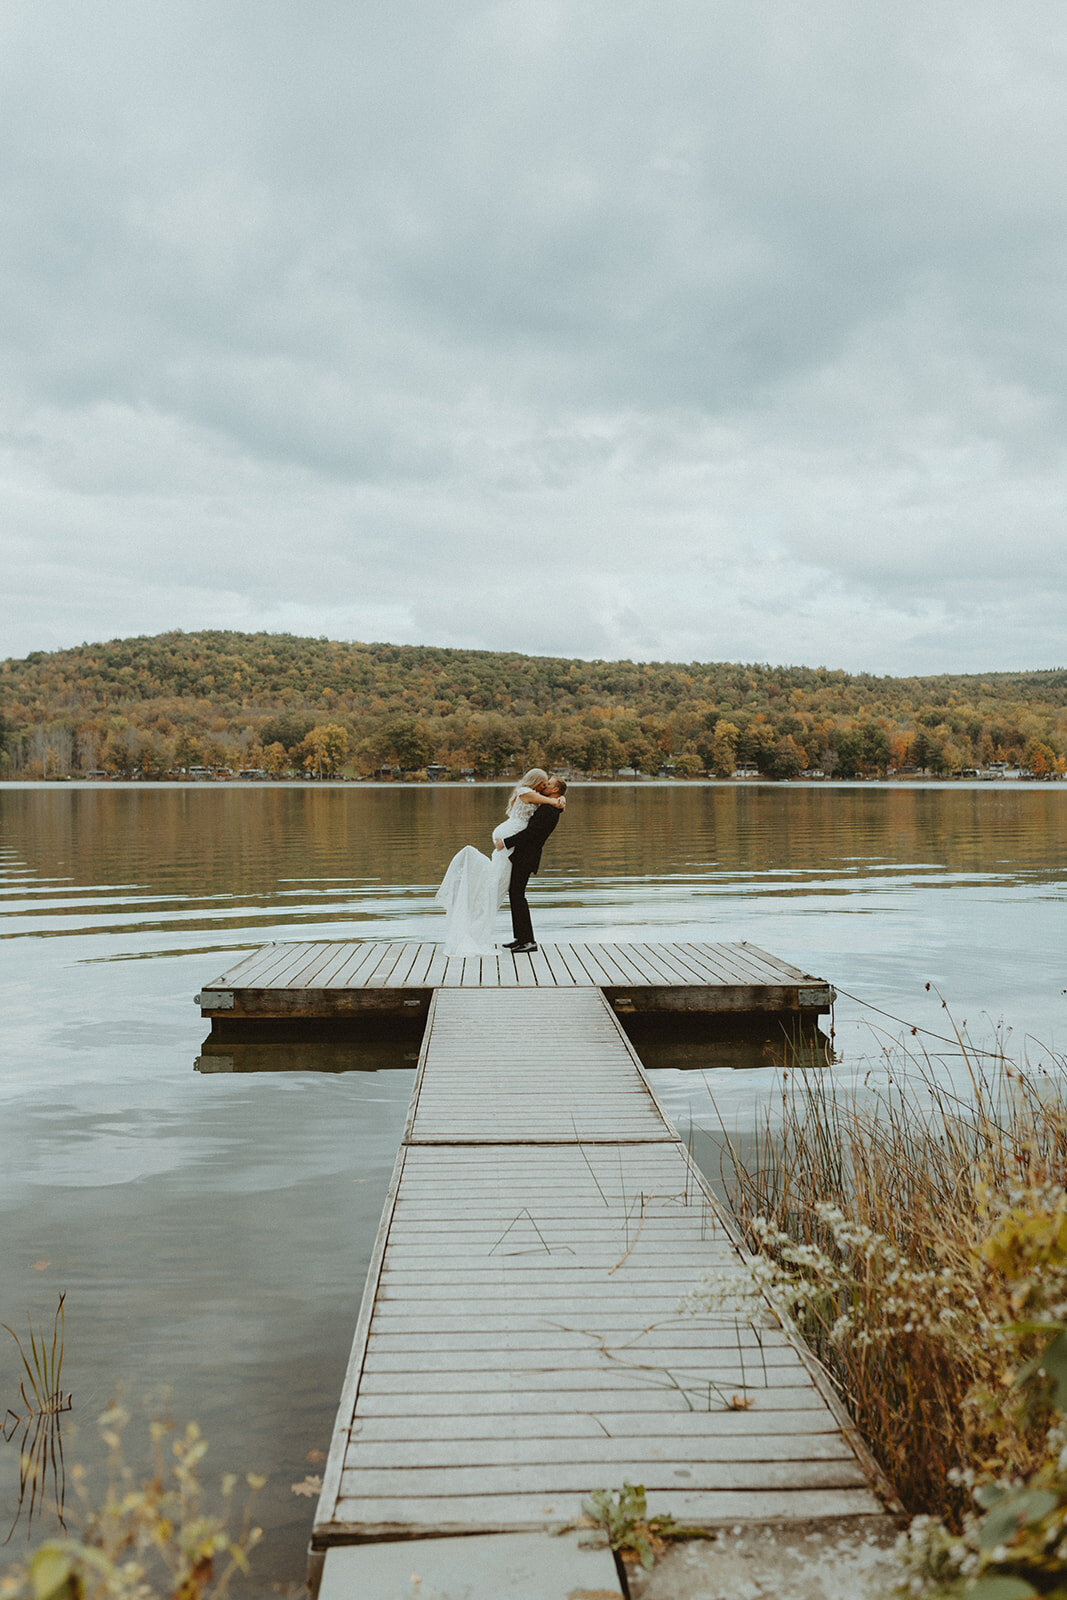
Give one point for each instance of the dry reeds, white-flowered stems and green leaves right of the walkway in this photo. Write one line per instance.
(917, 1238)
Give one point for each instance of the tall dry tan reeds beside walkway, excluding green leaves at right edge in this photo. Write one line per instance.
(921, 1337)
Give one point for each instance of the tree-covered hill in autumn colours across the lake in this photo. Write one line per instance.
(287, 703)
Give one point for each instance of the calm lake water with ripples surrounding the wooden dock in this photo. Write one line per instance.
(214, 1233)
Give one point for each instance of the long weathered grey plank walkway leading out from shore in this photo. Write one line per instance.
(522, 1342)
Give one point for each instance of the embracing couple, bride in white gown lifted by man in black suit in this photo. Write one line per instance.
(476, 886)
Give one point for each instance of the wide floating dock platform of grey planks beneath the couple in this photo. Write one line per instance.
(359, 977)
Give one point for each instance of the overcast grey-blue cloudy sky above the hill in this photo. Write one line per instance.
(655, 329)
